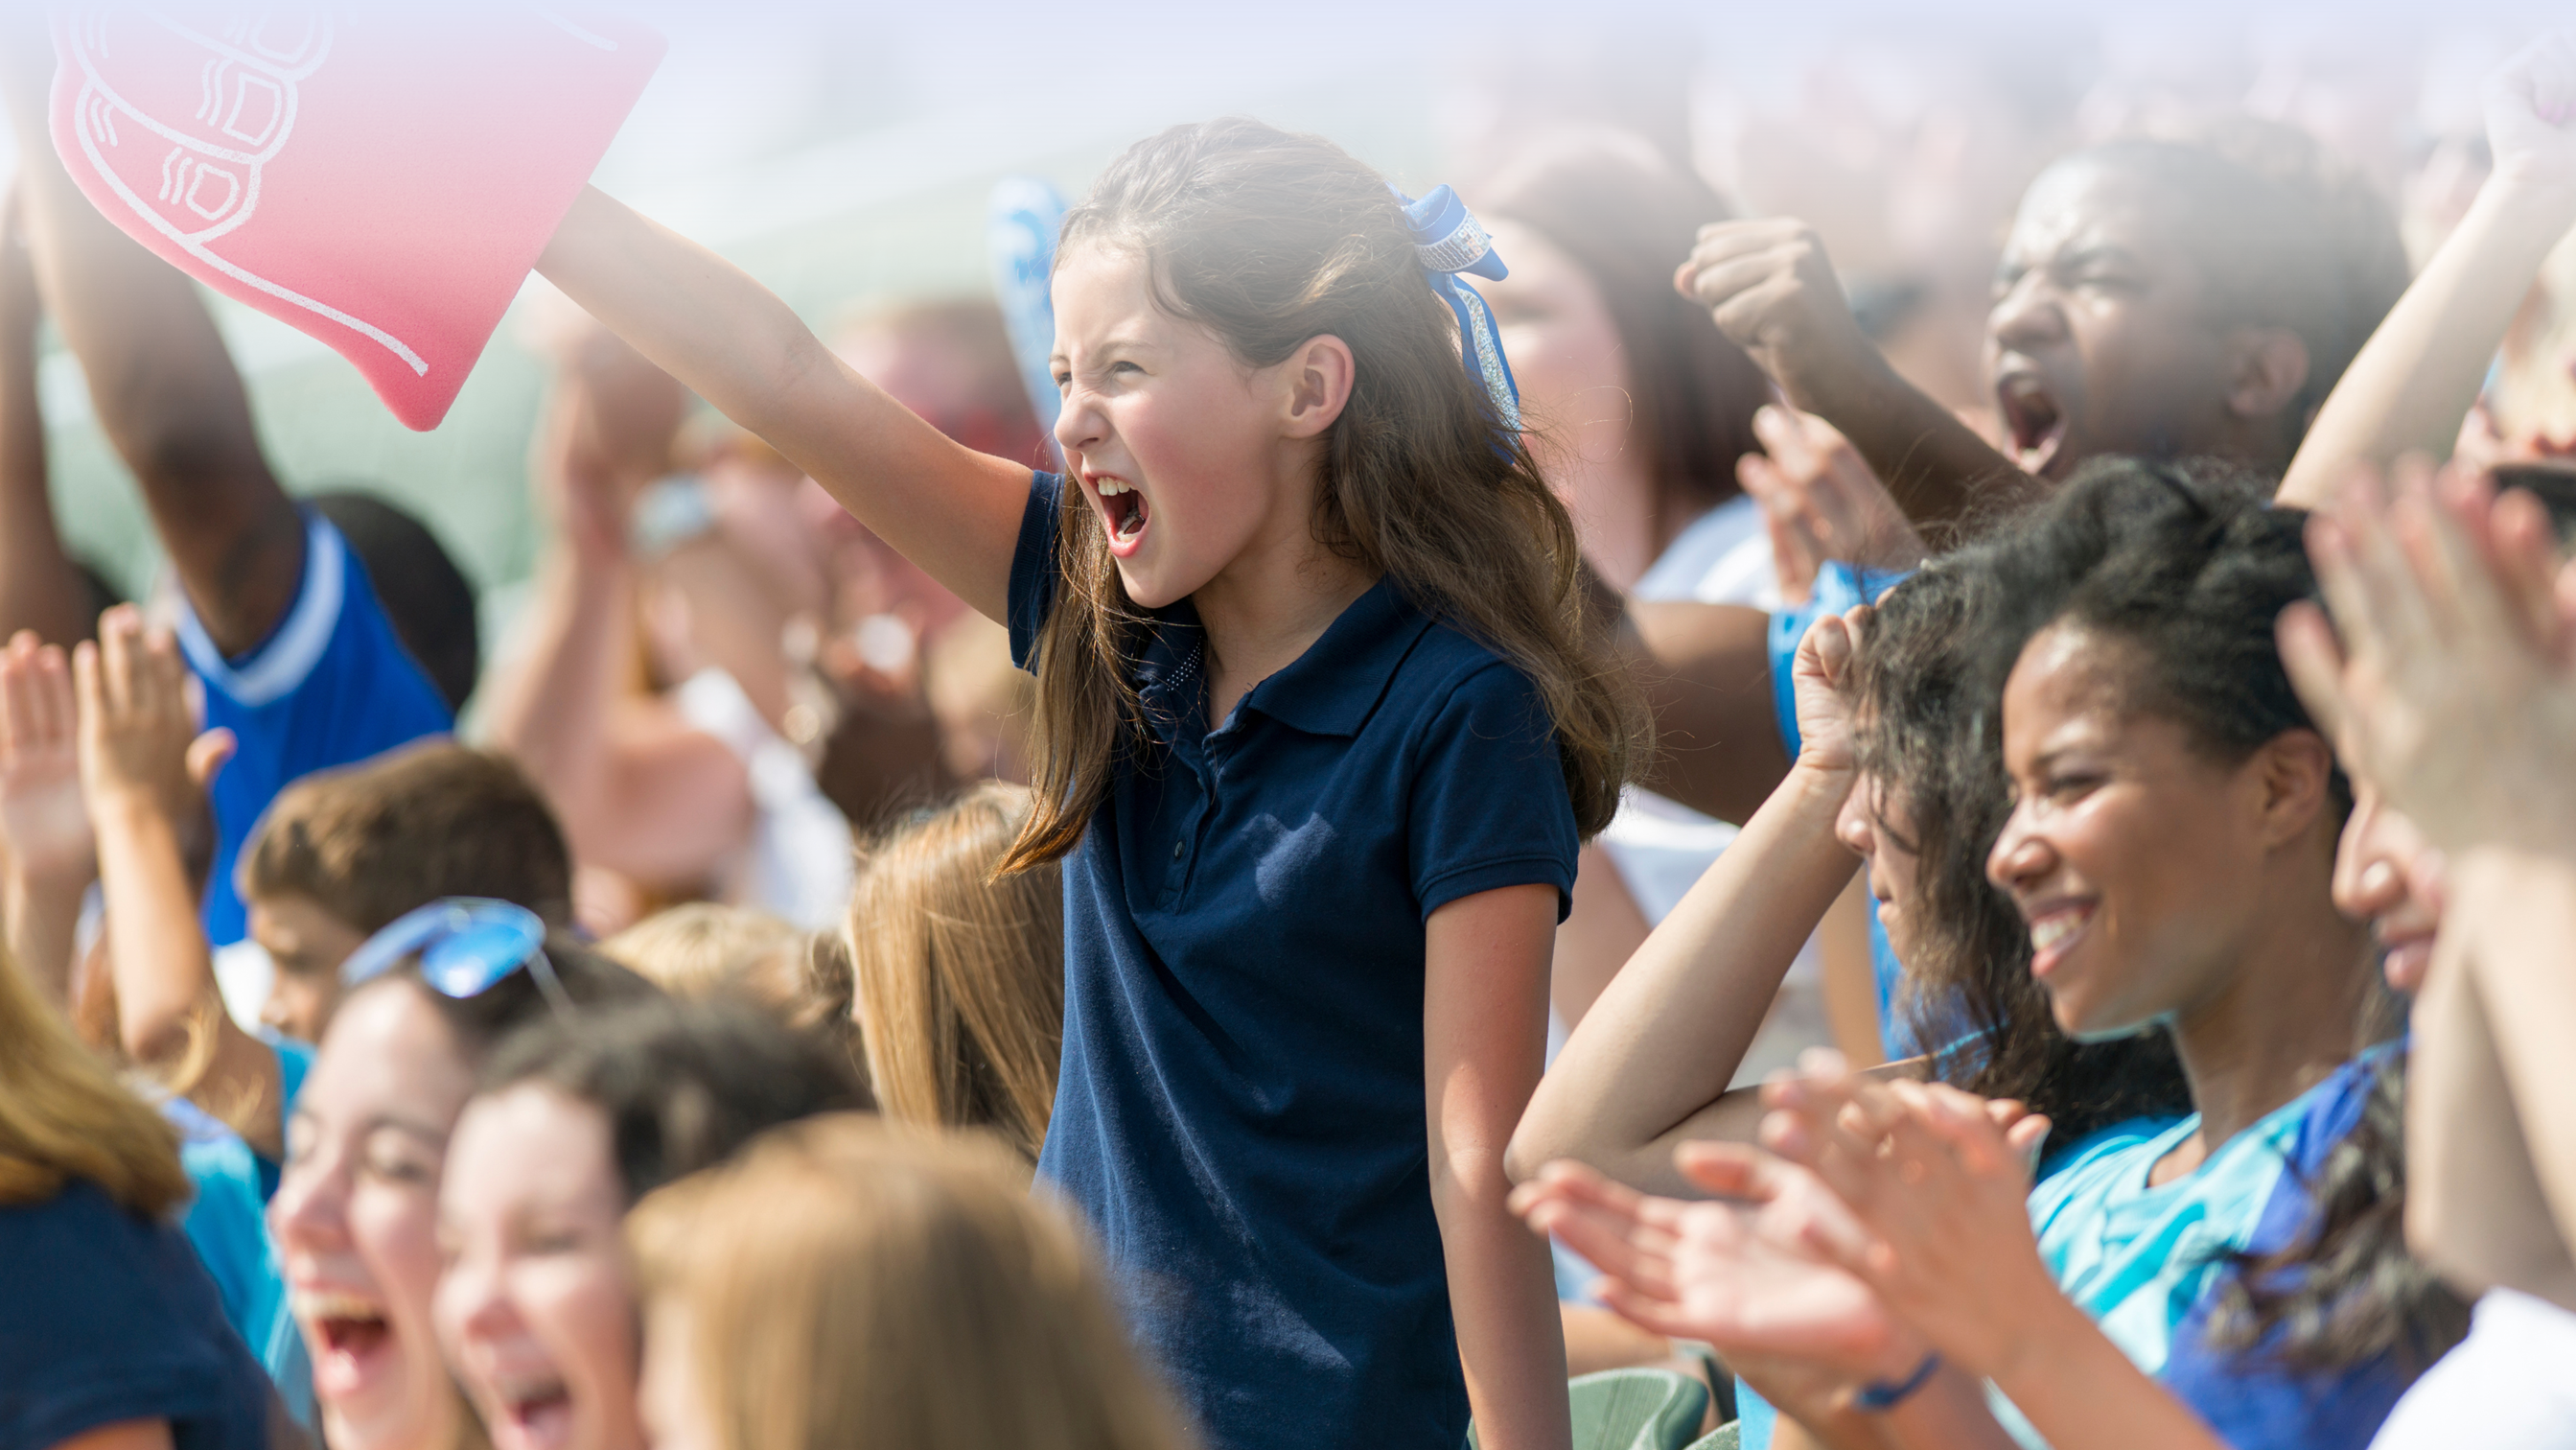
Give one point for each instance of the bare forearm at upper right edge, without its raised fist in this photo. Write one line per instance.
(2423, 370)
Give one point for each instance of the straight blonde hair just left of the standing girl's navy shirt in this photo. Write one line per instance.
(960, 975)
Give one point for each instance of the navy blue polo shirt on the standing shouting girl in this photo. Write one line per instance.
(1240, 1101)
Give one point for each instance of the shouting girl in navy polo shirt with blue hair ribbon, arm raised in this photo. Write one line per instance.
(1320, 728)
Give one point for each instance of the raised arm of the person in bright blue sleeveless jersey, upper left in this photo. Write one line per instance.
(161, 382)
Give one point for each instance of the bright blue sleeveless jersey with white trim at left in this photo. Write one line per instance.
(328, 686)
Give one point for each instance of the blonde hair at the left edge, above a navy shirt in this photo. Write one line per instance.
(66, 1116)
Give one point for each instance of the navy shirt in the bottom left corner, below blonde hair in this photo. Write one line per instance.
(112, 1317)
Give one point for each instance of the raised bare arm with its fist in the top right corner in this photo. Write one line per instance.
(2423, 370)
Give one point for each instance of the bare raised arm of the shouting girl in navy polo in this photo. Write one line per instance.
(944, 506)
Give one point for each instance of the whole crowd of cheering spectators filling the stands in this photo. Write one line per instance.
(1511, 813)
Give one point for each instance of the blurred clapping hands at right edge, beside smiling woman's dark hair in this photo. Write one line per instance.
(2443, 681)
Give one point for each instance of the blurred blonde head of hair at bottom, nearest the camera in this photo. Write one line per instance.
(851, 1281)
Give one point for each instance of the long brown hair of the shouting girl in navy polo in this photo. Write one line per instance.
(1271, 241)
